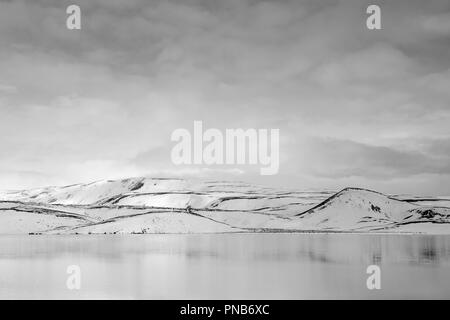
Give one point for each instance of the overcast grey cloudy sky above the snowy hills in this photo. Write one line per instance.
(355, 107)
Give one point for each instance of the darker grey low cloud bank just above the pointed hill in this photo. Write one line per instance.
(344, 158)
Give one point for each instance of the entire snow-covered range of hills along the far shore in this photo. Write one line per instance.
(149, 205)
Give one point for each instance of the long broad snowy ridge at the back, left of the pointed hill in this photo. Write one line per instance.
(171, 193)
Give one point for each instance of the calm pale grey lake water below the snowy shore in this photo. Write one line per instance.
(225, 266)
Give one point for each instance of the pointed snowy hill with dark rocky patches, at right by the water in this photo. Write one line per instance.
(355, 209)
